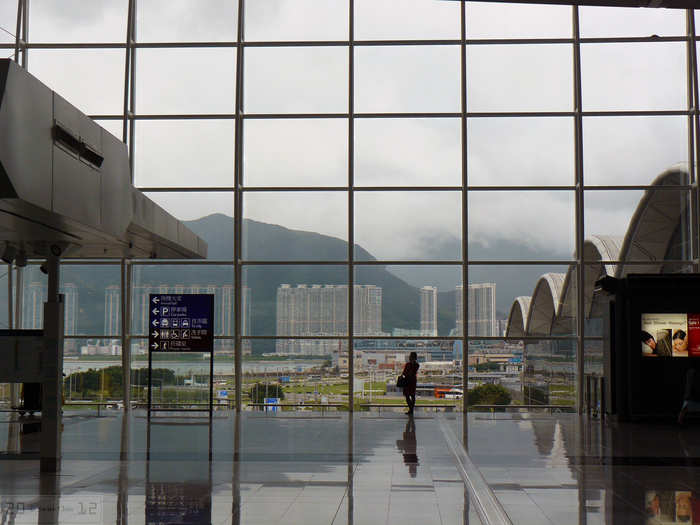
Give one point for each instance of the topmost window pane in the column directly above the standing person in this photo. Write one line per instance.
(406, 19)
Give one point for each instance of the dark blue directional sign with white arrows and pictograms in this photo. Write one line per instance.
(181, 323)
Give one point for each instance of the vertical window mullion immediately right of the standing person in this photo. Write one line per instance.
(465, 208)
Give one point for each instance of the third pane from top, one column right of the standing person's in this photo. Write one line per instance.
(520, 151)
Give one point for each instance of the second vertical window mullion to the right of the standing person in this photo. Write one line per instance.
(579, 219)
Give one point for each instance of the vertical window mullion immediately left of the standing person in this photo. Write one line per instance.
(351, 208)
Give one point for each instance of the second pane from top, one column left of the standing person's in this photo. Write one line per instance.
(296, 80)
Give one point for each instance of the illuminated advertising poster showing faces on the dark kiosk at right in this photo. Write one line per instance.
(666, 335)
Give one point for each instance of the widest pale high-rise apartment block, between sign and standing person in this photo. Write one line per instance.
(323, 310)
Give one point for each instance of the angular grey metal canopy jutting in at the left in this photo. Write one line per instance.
(65, 183)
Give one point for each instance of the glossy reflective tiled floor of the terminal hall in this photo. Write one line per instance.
(370, 468)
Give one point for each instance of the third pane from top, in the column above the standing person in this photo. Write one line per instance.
(408, 152)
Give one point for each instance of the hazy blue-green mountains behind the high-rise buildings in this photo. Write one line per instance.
(269, 242)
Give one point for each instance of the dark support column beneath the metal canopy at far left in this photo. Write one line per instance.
(52, 372)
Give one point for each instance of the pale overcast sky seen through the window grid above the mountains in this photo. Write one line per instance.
(391, 152)
